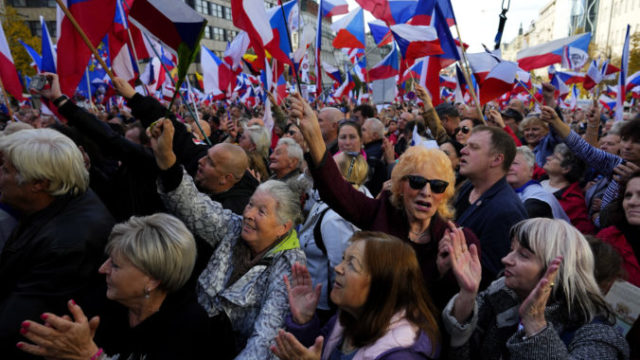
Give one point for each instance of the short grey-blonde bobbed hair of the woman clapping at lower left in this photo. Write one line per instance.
(159, 245)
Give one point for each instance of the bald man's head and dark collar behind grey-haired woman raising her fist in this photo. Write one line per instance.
(223, 175)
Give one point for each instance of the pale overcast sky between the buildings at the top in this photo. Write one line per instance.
(478, 19)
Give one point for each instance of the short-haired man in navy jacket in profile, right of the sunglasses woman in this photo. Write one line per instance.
(487, 204)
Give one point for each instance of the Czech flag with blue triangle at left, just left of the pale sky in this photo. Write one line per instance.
(416, 41)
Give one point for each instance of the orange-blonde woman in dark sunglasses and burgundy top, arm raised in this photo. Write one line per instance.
(414, 208)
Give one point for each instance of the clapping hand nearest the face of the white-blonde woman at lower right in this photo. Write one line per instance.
(532, 308)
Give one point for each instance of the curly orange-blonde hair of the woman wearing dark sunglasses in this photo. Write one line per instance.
(418, 157)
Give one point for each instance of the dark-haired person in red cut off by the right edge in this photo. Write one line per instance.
(624, 236)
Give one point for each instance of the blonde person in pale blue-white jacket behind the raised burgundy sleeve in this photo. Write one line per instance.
(325, 235)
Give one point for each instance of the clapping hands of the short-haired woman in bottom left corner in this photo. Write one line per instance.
(61, 337)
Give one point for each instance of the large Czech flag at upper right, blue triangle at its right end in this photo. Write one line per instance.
(550, 53)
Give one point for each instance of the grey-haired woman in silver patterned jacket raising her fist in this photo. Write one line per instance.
(243, 279)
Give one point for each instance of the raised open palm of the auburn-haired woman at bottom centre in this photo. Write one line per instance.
(303, 297)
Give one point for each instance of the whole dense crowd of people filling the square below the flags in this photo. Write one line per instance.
(331, 233)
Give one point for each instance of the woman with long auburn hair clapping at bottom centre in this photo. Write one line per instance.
(384, 309)
